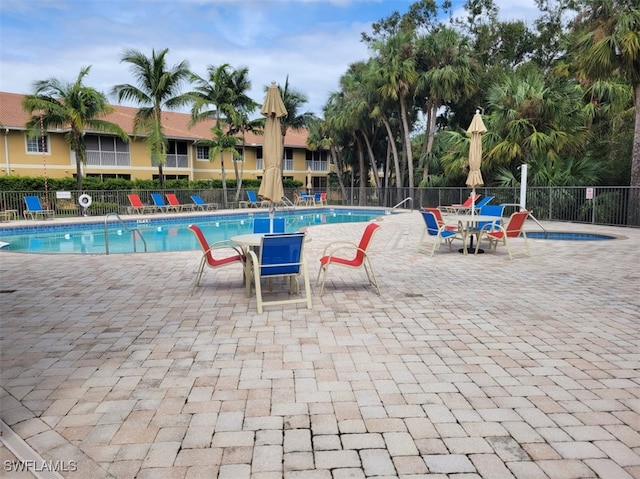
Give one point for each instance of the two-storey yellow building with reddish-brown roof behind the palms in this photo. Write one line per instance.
(110, 157)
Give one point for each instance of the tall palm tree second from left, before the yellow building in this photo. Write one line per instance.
(158, 89)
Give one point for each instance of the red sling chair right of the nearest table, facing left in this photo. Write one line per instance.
(334, 252)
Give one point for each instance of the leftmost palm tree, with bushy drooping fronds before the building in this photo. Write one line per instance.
(57, 104)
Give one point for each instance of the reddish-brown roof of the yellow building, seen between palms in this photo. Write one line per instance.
(175, 124)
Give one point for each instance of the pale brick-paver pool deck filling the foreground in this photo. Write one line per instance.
(465, 367)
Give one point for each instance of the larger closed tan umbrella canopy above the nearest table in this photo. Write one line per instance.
(272, 149)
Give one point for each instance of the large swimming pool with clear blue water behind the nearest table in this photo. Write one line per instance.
(161, 233)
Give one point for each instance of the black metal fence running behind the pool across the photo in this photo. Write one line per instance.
(619, 206)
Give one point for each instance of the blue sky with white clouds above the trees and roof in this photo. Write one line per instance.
(313, 42)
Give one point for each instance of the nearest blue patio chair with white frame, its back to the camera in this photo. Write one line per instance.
(280, 256)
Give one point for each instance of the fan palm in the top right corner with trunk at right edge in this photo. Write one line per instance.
(606, 46)
